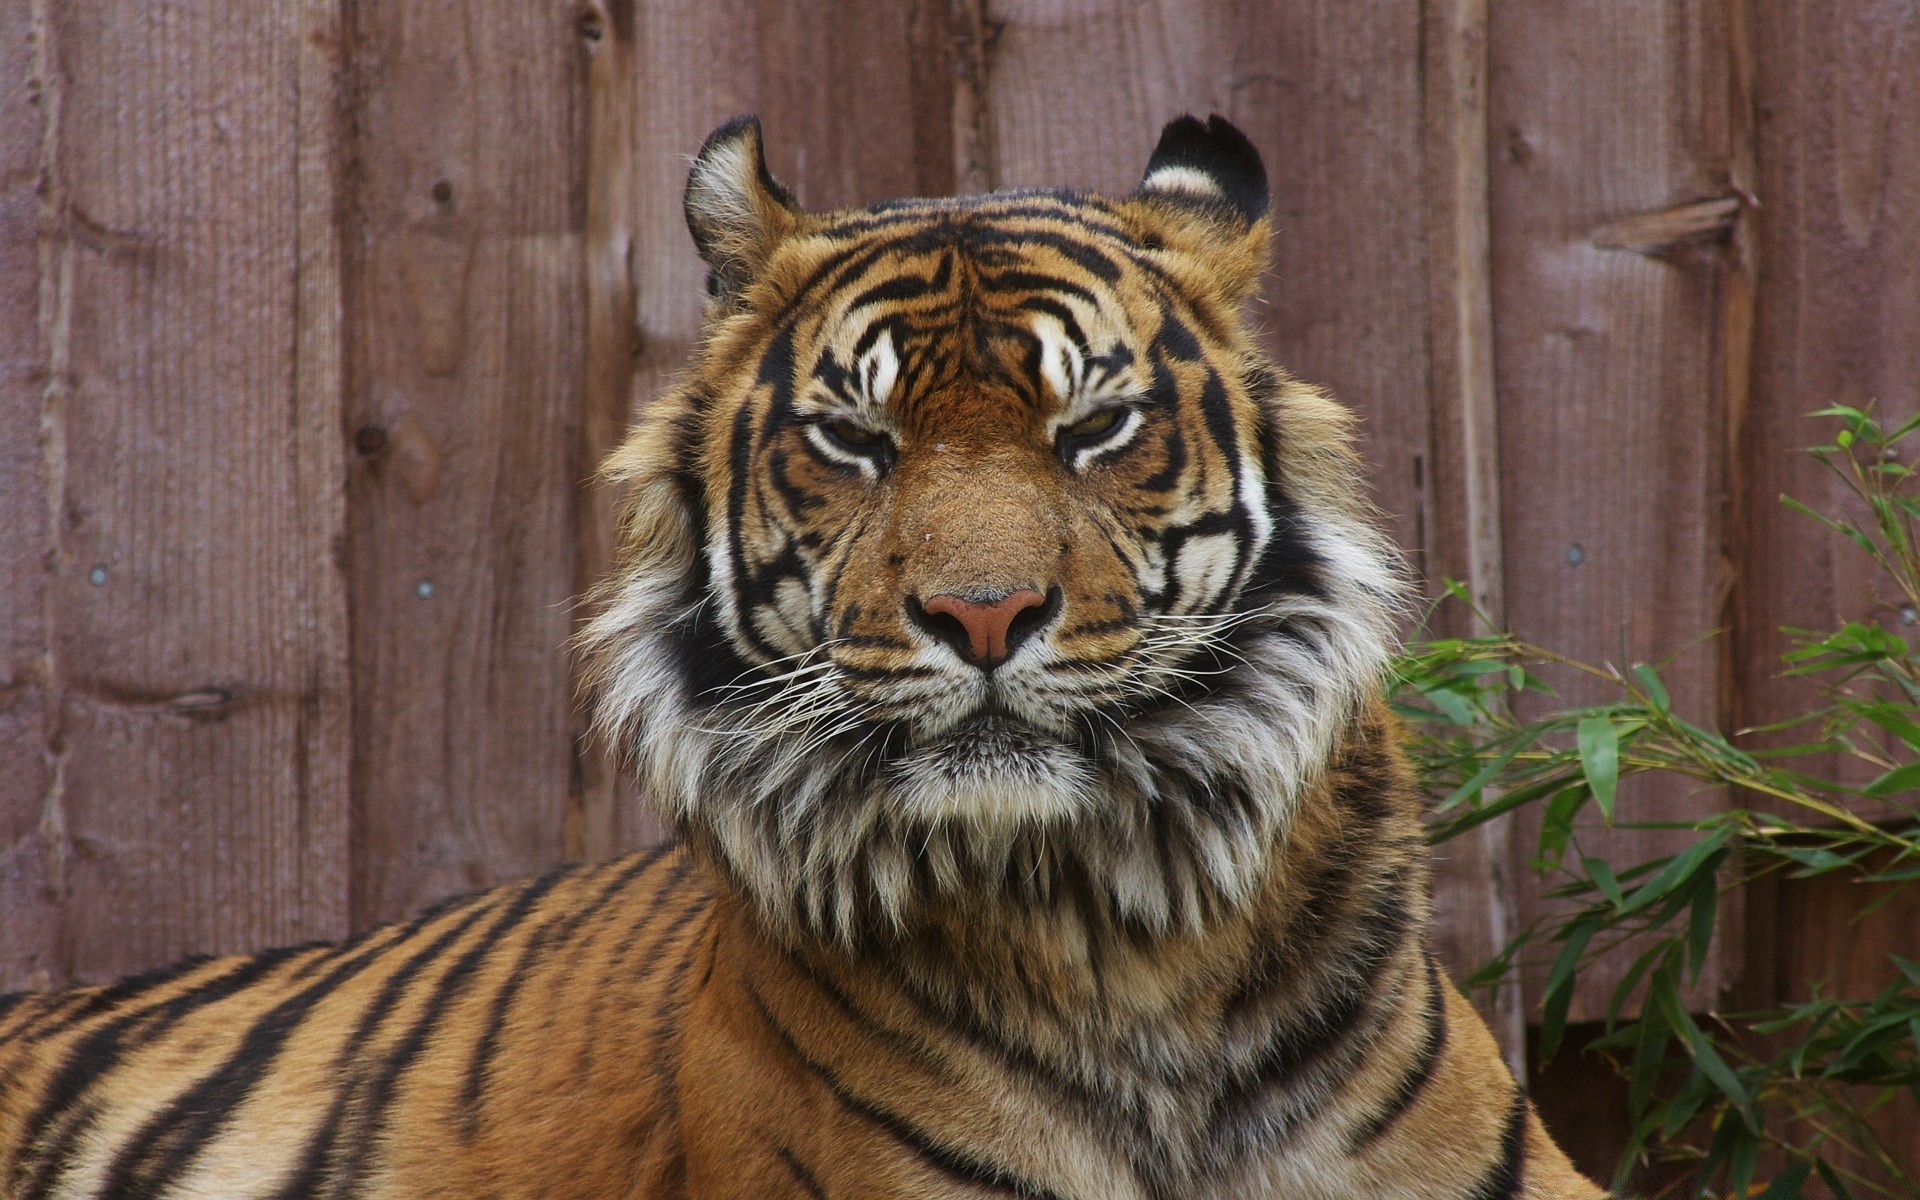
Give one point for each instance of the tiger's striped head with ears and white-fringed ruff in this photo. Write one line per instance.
(982, 558)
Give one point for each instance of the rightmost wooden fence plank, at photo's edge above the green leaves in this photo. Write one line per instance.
(1838, 233)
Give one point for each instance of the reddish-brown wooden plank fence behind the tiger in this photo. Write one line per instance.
(314, 327)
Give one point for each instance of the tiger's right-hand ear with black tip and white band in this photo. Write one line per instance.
(1207, 193)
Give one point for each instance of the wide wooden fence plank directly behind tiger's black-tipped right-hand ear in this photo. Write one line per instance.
(1355, 110)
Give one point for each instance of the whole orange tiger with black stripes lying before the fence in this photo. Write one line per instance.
(1003, 636)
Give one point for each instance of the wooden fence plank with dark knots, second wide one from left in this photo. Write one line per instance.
(466, 373)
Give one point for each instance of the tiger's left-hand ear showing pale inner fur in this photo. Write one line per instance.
(736, 210)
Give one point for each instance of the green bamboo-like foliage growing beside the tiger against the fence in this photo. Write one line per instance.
(1719, 1093)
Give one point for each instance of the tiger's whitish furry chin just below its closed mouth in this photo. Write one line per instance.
(994, 773)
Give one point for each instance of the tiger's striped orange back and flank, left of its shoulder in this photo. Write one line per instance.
(431, 1049)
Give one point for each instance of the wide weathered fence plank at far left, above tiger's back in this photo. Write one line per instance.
(189, 679)
